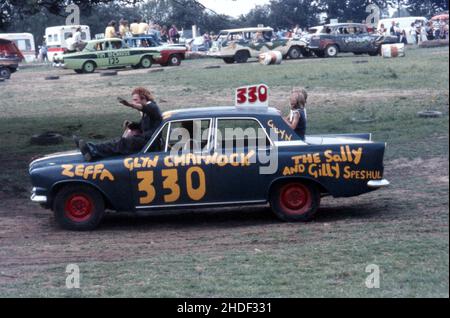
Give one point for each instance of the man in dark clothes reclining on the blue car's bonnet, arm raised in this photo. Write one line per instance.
(136, 135)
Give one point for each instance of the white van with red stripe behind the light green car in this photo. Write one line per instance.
(56, 38)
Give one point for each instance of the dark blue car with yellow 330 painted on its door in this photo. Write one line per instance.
(219, 162)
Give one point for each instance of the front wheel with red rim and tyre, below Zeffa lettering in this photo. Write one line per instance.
(78, 208)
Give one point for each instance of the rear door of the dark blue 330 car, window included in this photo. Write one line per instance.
(238, 144)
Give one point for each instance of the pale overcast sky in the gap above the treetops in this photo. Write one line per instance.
(232, 7)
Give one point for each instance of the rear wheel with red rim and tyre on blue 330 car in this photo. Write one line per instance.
(295, 201)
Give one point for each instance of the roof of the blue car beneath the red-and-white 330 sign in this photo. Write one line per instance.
(219, 111)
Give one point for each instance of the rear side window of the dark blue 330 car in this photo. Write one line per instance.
(234, 134)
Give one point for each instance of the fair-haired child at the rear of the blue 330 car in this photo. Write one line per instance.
(297, 117)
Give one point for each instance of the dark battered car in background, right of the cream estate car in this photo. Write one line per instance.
(331, 39)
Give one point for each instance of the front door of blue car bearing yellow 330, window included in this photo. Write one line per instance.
(172, 172)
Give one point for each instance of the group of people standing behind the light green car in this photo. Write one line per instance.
(141, 27)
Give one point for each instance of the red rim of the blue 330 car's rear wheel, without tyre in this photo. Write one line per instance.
(295, 198)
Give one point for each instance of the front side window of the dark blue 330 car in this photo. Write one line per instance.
(189, 136)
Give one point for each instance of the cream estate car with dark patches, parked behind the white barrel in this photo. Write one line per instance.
(238, 45)
